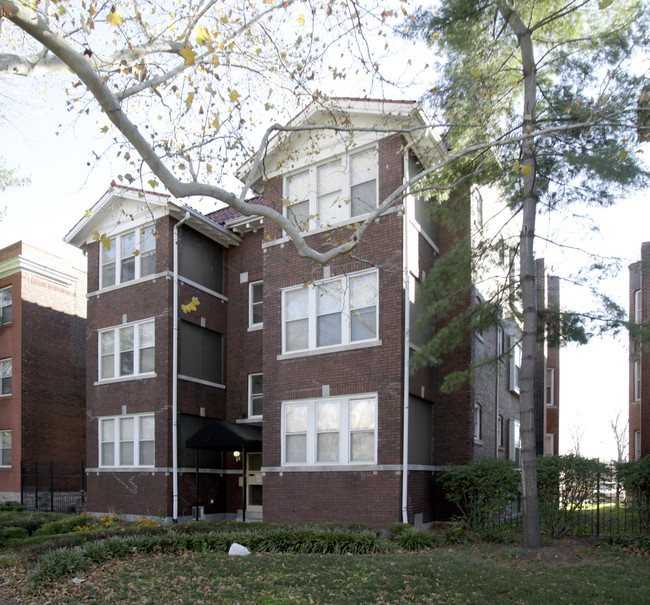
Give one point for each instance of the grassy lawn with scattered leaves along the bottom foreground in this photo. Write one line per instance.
(459, 574)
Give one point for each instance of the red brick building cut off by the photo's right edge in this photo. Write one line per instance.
(639, 397)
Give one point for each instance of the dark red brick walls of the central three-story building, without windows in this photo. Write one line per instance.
(367, 493)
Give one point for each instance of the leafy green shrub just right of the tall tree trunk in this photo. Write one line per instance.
(564, 484)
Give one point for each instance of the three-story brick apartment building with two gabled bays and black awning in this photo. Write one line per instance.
(285, 395)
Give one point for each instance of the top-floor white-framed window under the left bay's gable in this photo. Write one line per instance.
(126, 257)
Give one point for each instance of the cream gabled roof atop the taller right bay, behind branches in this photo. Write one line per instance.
(380, 114)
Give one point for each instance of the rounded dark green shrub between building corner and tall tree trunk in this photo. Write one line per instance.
(481, 490)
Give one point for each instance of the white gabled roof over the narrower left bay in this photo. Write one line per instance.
(112, 209)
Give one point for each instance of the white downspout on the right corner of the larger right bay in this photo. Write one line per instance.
(407, 345)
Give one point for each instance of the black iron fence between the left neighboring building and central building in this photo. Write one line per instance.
(53, 486)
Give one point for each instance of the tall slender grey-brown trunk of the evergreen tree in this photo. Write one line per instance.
(532, 537)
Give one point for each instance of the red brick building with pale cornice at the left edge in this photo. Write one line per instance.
(42, 344)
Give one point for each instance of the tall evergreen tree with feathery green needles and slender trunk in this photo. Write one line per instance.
(541, 101)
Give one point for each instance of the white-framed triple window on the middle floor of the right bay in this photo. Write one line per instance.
(337, 311)
